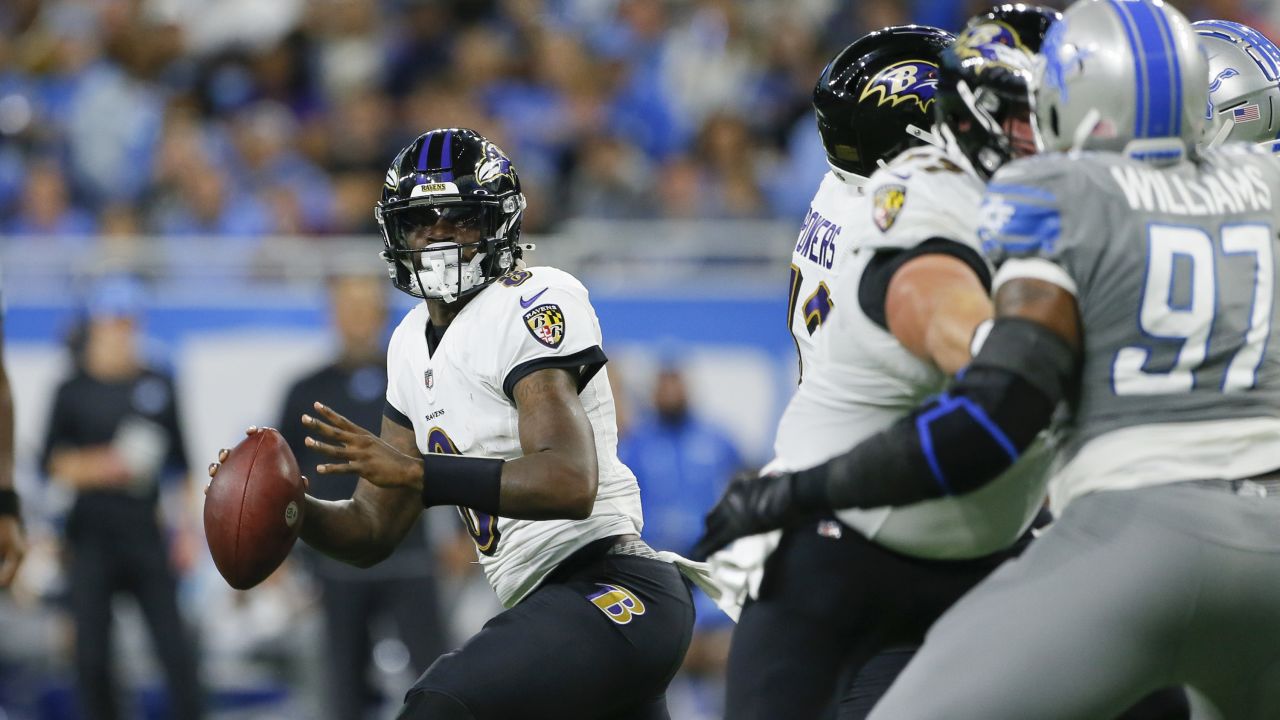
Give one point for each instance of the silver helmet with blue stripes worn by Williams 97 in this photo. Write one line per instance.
(1123, 76)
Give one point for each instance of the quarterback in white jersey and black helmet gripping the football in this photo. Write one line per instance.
(497, 403)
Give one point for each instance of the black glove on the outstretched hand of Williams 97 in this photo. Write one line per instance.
(751, 505)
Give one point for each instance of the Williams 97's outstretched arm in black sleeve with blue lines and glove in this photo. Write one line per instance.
(953, 445)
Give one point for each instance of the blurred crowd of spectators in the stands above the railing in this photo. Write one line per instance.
(243, 119)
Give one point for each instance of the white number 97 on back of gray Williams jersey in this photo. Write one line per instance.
(1192, 321)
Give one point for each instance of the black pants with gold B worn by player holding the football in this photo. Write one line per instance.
(560, 654)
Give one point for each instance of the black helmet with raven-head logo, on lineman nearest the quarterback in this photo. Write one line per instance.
(872, 95)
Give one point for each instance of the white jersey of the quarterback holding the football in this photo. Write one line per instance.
(459, 402)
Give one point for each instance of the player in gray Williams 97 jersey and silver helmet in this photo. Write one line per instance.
(1136, 284)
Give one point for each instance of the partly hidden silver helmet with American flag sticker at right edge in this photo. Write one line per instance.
(1244, 85)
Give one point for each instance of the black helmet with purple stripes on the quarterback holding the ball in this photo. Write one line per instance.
(450, 215)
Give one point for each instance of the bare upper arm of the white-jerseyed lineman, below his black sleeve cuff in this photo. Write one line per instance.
(934, 306)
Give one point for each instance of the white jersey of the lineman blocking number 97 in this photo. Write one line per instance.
(860, 380)
